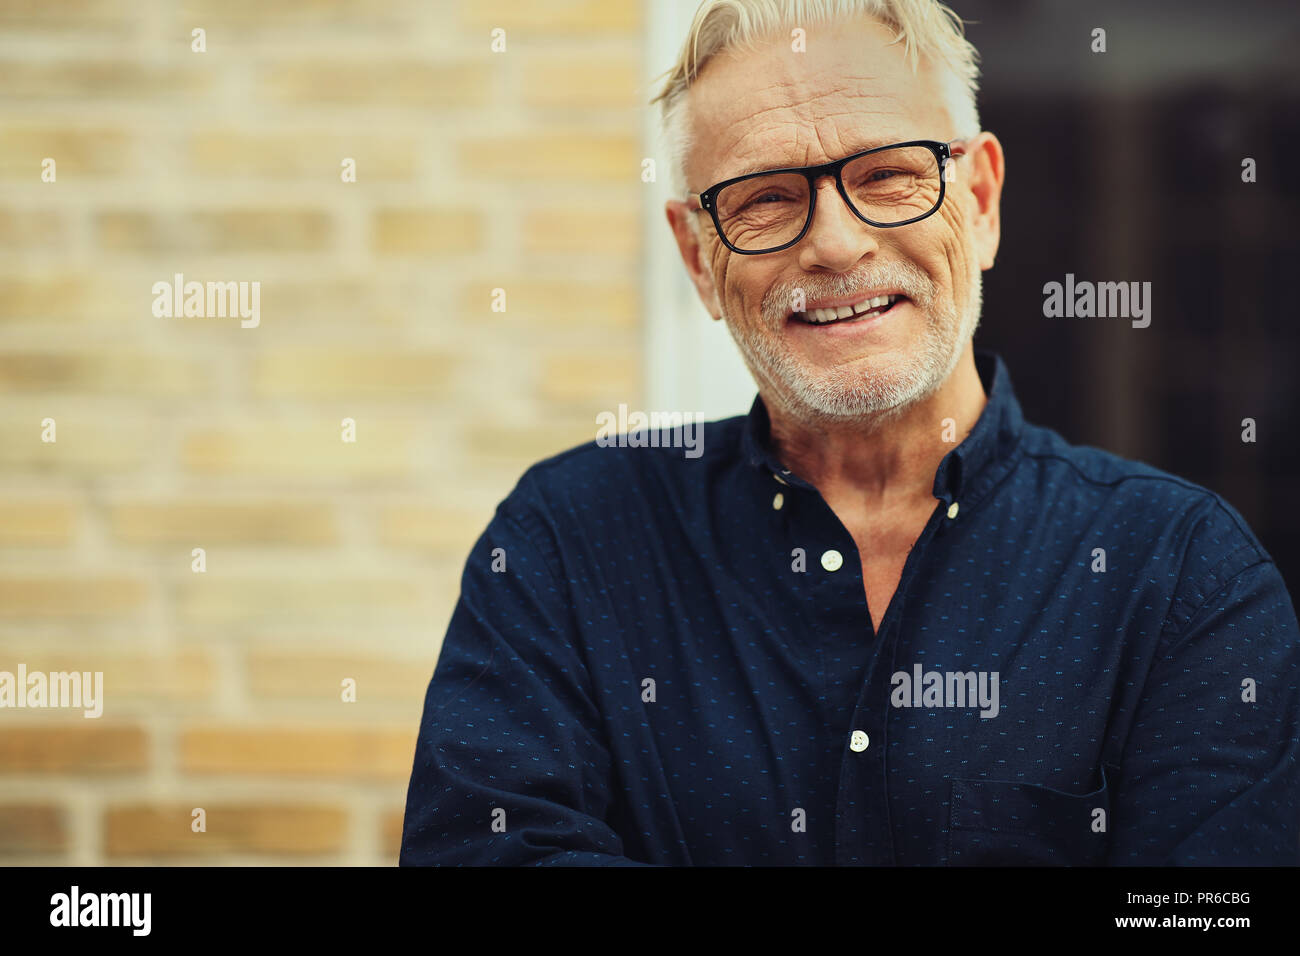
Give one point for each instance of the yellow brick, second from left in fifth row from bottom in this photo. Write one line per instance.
(205, 524)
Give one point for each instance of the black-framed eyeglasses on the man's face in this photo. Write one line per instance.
(887, 187)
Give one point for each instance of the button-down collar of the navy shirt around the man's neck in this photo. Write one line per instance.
(965, 474)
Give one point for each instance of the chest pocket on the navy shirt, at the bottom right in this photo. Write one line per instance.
(1007, 824)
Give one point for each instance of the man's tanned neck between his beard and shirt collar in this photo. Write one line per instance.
(890, 461)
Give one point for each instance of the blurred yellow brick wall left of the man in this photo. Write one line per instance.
(324, 560)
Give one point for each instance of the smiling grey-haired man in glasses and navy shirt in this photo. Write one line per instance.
(882, 620)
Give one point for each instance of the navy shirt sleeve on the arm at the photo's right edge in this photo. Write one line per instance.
(1210, 773)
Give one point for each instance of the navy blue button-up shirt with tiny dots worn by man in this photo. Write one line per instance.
(665, 659)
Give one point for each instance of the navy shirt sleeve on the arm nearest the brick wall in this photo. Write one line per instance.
(510, 767)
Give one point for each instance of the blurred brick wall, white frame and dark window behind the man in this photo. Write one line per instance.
(476, 171)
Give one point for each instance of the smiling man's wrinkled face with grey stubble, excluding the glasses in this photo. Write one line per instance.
(848, 93)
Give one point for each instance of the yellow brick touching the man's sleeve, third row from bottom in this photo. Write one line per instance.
(310, 676)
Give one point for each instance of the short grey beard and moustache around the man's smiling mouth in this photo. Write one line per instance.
(838, 395)
